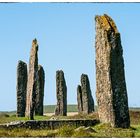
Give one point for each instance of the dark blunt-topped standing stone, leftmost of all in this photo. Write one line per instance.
(21, 88)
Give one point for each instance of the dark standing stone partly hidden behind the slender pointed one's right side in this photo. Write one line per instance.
(40, 91)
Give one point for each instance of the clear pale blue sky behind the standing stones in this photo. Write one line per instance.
(66, 38)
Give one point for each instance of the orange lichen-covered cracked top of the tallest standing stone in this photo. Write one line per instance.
(106, 23)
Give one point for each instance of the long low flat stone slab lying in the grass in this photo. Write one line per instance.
(49, 124)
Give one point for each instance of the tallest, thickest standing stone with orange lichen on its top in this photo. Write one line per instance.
(111, 89)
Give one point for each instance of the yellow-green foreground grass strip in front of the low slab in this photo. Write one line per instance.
(101, 131)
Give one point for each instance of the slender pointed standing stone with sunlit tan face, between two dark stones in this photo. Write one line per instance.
(32, 81)
